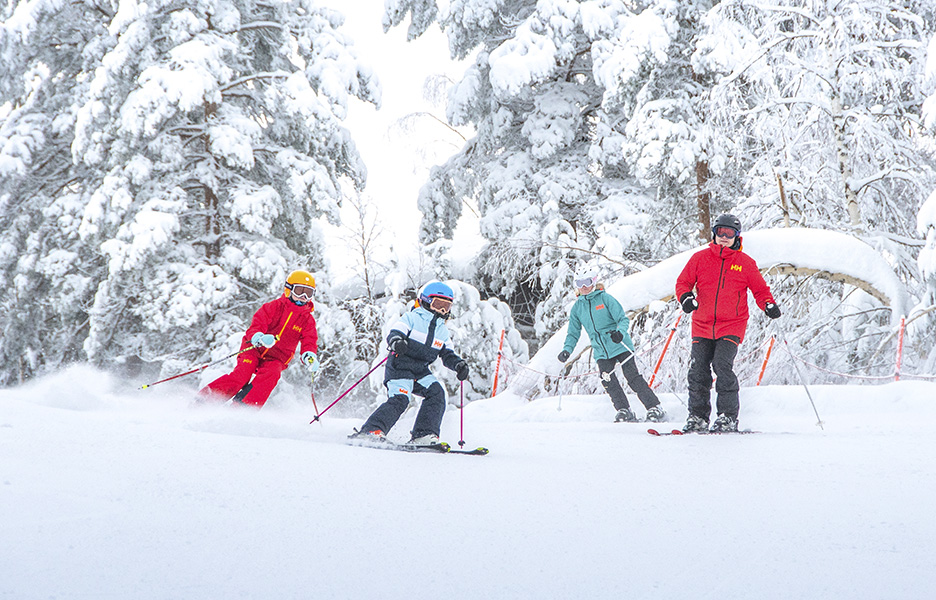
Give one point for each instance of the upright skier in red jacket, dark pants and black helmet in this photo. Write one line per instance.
(721, 275)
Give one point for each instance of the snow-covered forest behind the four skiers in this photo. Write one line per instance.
(165, 164)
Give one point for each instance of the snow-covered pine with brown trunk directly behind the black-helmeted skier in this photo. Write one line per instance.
(656, 101)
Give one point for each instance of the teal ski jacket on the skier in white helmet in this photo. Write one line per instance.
(600, 314)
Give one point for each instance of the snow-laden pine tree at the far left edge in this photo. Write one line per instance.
(47, 276)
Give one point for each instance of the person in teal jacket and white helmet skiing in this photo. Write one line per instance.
(606, 324)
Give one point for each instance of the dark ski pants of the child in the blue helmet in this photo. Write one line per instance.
(429, 417)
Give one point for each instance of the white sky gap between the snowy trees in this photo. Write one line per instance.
(397, 162)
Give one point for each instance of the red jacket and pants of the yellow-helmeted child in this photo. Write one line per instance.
(293, 324)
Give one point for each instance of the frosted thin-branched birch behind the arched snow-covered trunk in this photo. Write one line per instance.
(822, 102)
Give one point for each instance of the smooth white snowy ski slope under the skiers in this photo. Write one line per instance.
(107, 494)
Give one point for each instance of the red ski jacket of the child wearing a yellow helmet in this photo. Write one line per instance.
(292, 323)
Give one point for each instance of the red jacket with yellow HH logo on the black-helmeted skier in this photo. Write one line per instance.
(721, 277)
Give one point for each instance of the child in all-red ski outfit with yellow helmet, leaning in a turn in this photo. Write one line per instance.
(275, 331)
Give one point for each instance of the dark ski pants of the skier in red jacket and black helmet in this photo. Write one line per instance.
(718, 356)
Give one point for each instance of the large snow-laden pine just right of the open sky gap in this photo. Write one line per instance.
(546, 165)
